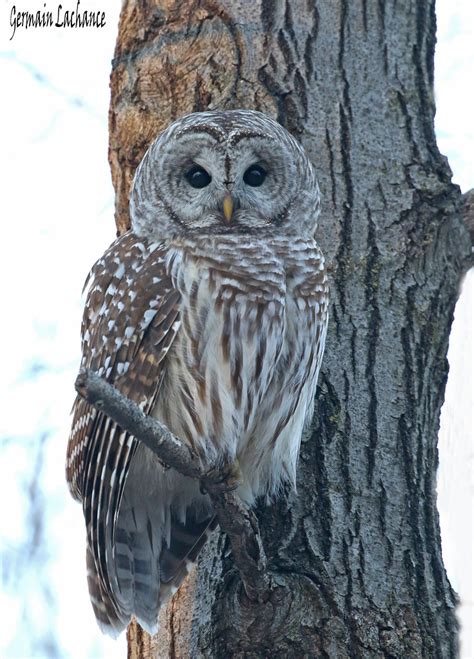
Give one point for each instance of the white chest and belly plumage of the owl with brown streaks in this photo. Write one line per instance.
(241, 374)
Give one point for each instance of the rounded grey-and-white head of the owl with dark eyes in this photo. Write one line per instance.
(222, 173)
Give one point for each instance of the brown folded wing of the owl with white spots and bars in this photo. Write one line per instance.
(129, 323)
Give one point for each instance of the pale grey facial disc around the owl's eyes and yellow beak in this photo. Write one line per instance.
(223, 186)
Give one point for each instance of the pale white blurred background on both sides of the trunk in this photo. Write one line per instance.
(56, 193)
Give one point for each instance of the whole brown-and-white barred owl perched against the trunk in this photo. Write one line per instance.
(211, 314)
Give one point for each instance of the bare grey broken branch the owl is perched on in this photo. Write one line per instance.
(234, 518)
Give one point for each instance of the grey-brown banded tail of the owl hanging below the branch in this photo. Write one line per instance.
(151, 559)
